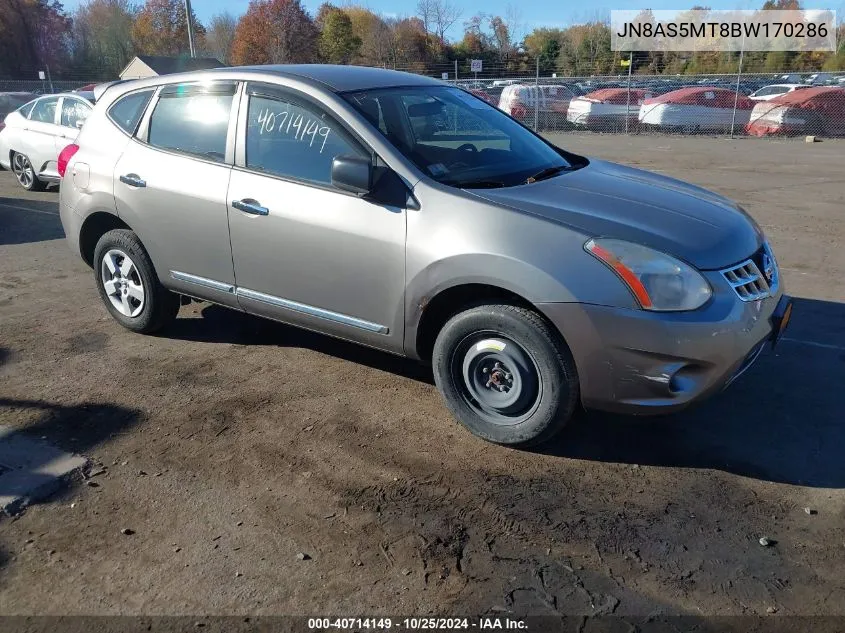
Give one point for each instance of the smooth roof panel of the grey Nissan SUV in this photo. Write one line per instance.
(344, 78)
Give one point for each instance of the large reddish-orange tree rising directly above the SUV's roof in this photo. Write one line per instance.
(275, 32)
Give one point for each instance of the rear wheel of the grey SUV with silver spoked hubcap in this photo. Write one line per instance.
(128, 284)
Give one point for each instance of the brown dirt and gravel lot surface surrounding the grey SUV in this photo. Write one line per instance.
(231, 445)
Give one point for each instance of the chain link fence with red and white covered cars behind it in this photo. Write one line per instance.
(760, 104)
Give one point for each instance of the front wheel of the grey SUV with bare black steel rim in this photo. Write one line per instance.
(505, 374)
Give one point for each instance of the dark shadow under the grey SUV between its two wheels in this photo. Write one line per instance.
(223, 325)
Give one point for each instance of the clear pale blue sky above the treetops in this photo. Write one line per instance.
(531, 13)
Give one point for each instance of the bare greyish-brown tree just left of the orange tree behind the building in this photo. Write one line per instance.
(102, 35)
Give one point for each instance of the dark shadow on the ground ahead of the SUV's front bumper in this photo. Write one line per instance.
(782, 421)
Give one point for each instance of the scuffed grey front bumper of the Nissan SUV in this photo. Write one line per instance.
(641, 362)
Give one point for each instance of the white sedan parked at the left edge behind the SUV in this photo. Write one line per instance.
(35, 133)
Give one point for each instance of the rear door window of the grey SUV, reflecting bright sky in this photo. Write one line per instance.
(193, 120)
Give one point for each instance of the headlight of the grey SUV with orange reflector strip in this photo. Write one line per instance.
(658, 281)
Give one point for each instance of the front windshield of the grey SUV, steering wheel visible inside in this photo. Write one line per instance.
(457, 138)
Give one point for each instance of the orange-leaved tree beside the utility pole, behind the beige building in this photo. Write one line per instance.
(161, 28)
